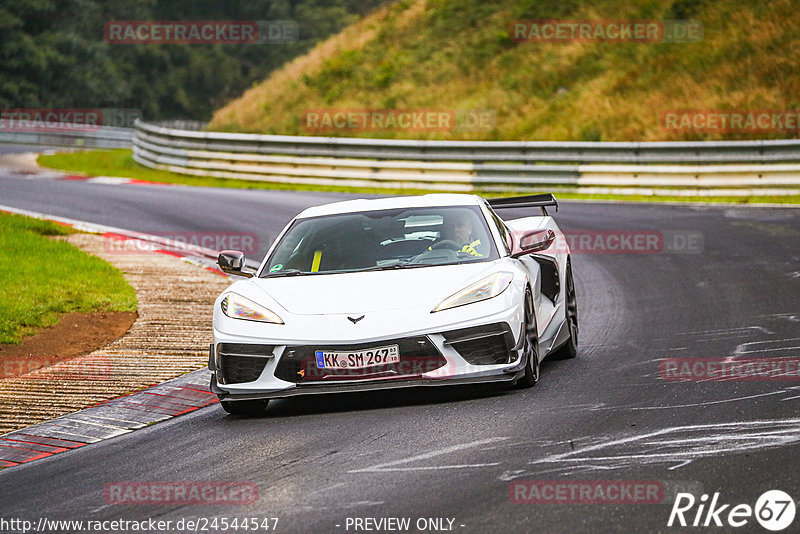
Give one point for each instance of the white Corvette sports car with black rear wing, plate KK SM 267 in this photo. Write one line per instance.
(395, 292)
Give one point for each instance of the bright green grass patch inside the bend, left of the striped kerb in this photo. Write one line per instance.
(41, 278)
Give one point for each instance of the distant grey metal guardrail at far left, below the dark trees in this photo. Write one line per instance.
(101, 137)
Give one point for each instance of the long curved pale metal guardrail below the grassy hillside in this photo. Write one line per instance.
(463, 165)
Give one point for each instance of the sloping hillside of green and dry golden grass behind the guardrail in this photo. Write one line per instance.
(458, 55)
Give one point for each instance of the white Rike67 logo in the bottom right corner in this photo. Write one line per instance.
(774, 510)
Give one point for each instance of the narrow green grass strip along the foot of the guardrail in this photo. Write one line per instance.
(120, 163)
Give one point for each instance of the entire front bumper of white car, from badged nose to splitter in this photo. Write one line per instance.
(477, 343)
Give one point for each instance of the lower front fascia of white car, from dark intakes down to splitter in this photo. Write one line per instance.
(484, 353)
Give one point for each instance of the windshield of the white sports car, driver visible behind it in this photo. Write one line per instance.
(383, 239)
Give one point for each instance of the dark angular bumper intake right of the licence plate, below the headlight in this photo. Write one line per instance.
(483, 345)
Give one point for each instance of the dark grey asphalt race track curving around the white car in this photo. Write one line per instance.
(452, 453)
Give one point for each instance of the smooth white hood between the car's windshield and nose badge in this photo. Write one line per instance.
(353, 293)
